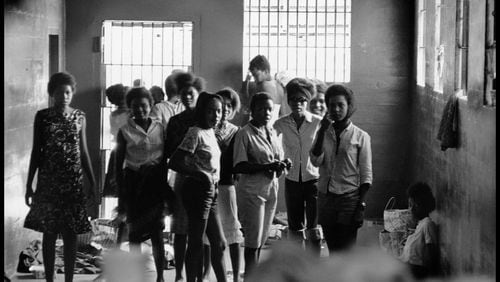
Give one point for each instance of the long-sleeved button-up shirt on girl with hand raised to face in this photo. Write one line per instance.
(342, 169)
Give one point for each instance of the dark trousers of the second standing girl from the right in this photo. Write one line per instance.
(301, 198)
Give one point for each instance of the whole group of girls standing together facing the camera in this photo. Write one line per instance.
(224, 178)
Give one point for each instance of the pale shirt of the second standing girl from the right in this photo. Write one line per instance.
(297, 143)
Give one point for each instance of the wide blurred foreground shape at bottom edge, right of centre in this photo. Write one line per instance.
(288, 262)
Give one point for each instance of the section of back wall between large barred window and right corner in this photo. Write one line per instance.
(381, 69)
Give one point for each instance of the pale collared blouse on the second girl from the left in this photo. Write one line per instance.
(143, 148)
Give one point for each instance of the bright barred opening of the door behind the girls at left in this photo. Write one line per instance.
(145, 50)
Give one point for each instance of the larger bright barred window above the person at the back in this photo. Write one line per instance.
(308, 38)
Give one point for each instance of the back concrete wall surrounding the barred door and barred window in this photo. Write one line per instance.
(381, 38)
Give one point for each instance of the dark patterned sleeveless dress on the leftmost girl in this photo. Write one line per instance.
(59, 200)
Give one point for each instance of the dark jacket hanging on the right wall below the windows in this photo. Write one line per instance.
(448, 128)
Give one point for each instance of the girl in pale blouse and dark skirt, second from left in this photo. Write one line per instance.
(141, 176)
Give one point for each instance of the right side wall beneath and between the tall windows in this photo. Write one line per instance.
(463, 179)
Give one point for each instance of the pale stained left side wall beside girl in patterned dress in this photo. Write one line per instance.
(27, 25)
